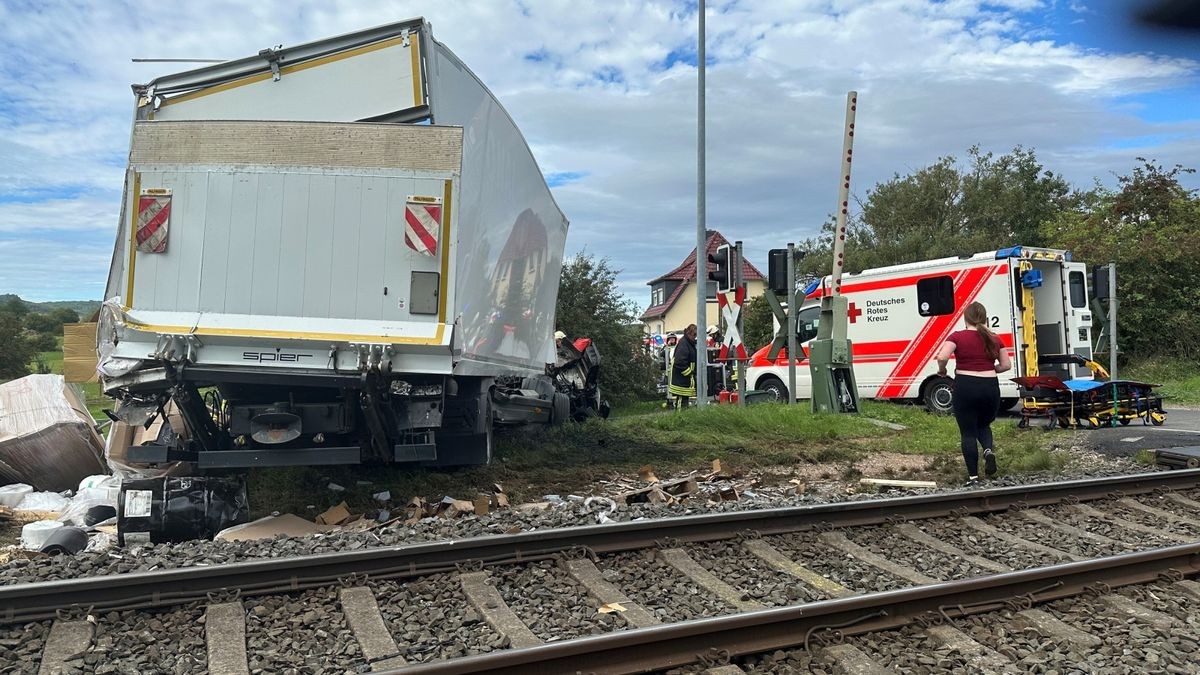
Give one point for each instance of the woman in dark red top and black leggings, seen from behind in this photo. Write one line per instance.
(979, 359)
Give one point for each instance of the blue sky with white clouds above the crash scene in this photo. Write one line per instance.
(605, 94)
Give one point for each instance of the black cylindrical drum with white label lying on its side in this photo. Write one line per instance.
(179, 510)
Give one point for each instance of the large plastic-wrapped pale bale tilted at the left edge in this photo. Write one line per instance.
(47, 438)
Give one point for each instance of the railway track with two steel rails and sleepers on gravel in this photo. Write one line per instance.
(653, 595)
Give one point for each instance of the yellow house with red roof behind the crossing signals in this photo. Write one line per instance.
(674, 295)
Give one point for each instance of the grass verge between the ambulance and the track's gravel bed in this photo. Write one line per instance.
(574, 458)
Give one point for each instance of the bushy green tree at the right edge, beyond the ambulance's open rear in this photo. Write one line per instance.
(1149, 228)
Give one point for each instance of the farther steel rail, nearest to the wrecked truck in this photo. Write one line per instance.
(31, 602)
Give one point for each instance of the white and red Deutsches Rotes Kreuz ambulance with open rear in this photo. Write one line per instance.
(901, 315)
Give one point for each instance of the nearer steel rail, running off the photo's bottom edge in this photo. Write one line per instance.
(669, 647)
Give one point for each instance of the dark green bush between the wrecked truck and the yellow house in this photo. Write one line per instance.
(590, 306)
